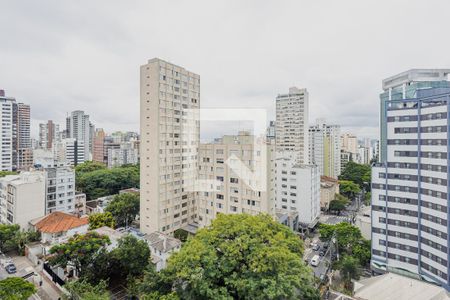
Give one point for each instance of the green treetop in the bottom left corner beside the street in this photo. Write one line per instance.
(16, 288)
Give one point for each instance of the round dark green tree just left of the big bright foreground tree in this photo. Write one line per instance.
(131, 257)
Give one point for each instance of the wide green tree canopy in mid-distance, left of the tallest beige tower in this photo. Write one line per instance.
(102, 182)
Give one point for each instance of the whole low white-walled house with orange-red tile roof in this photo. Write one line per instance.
(58, 227)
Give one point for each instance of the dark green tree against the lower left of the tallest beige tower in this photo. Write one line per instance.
(124, 208)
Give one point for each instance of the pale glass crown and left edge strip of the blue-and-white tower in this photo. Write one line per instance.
(407, 85)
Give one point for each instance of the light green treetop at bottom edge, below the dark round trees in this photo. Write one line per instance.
(83, 290)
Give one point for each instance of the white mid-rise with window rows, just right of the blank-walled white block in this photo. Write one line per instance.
(60, 189)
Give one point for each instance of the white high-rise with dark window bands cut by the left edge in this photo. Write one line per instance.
(6, 136)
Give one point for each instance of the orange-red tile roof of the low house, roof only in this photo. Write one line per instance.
(60, 222)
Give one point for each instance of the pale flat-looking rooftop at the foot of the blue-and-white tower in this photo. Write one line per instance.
(392, 286)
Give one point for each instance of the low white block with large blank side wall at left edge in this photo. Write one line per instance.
(22, 198)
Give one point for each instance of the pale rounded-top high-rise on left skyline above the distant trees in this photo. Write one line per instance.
(80, 129)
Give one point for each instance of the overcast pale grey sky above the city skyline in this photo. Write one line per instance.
(60, 56)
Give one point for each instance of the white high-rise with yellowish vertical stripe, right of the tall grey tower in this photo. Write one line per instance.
(325, 148)
